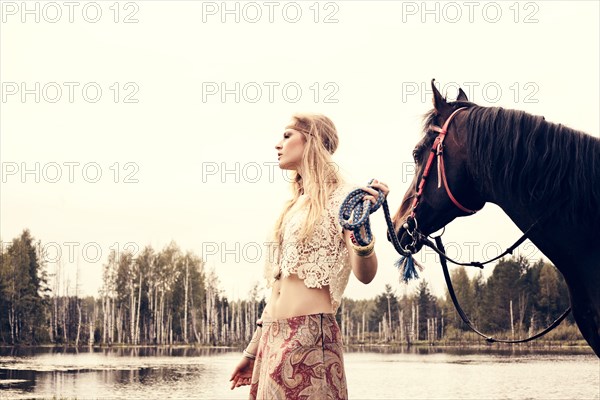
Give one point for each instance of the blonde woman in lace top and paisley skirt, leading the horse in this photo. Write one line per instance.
(296, 350)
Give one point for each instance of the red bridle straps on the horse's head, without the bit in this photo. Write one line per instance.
(438, 149)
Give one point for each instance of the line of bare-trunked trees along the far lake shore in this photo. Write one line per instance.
(169, 297)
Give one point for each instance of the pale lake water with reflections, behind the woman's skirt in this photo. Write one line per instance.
(374, 372)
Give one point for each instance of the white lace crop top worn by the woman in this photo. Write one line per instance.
(322, 259)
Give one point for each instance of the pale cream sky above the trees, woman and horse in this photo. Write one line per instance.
(193, 101)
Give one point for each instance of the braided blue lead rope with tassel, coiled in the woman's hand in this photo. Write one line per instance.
(354, 205)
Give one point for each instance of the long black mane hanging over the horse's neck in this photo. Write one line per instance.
(542, 164)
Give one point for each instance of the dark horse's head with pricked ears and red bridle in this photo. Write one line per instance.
(442, 188)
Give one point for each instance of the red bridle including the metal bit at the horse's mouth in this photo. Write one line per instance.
(437, 150)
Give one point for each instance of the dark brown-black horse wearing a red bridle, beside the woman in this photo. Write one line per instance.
(544, 176)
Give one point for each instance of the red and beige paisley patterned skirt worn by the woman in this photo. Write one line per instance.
(300, 358)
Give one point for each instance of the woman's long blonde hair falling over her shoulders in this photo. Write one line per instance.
(320, 175)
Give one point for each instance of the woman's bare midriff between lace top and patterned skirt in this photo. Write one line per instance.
(291, 298)
